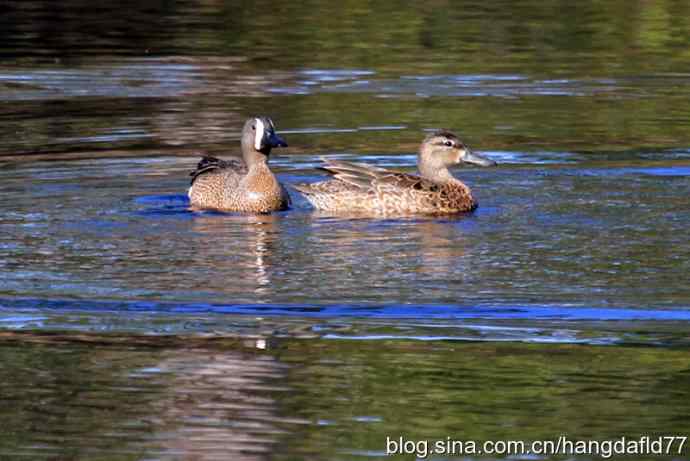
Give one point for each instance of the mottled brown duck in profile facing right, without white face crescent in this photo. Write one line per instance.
(359, 188)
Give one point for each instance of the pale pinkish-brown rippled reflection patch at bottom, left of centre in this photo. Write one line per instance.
(219, 402)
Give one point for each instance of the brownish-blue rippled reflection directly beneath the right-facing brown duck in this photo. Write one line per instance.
(378, 260)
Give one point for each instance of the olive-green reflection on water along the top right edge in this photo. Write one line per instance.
(589, 38)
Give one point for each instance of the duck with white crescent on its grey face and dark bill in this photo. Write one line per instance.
(233, 185)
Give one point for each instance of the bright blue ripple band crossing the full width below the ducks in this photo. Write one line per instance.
(538, 324)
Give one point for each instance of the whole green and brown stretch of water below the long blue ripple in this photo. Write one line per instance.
(321, 399)
